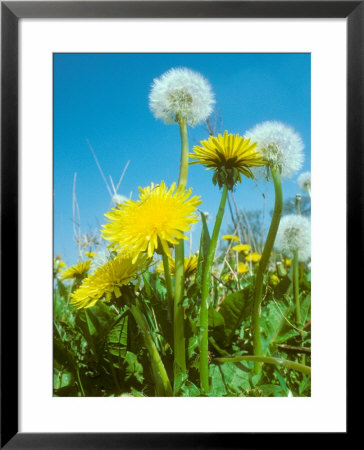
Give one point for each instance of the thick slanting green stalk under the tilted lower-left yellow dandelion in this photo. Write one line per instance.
(160, 375)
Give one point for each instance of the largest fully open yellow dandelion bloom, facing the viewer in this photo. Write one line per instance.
(160, 215)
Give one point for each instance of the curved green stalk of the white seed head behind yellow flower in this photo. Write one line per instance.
(263, 263)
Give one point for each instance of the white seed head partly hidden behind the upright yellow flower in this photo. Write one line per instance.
(280, 145)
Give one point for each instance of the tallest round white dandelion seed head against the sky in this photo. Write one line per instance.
(181, 93)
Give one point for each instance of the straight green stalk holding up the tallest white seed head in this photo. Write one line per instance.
(179, 281)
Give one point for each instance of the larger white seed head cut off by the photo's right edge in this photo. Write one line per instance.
(294, 233)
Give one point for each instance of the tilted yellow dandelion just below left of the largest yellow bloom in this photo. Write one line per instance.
(107, 280)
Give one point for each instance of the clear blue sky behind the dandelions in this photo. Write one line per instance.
(103, 99)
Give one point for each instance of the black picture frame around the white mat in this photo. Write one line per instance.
(11, 12)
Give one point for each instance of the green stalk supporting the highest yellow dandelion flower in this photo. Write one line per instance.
(204, 311)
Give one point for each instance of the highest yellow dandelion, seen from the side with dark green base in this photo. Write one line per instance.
(229, 156)
